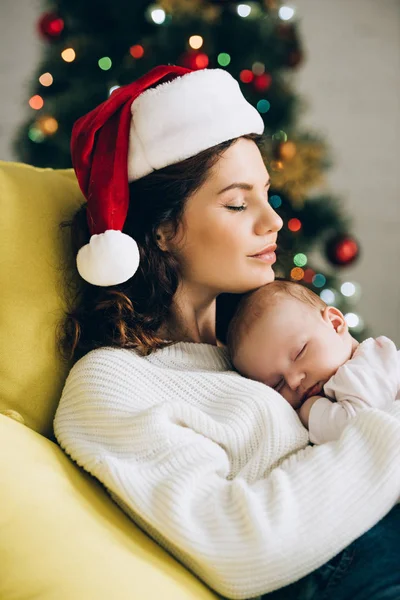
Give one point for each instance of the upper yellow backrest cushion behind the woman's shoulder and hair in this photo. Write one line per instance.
(33, 202)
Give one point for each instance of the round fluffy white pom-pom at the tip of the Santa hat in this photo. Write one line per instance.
(109, 258)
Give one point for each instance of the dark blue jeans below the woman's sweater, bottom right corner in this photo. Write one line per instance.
(368, 569)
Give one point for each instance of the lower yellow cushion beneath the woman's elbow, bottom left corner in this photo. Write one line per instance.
(62, 537)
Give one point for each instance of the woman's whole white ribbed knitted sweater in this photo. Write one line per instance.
(218, 469)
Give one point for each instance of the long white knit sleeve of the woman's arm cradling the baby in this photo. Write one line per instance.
(242, 539)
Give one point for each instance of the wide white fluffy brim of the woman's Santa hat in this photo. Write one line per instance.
(180, 118)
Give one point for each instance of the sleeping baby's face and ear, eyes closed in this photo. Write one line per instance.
(295, 349)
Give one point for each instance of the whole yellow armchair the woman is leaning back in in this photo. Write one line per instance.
(61, 536)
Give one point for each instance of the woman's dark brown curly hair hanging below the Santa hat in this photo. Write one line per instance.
(129, 315)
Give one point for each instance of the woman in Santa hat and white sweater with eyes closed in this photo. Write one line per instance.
(217, 468)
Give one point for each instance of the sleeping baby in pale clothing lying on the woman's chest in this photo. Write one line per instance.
(285, 336)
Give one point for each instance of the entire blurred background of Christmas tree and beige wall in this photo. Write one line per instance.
(324, 74)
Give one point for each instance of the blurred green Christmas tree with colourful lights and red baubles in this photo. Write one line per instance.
(92, 47)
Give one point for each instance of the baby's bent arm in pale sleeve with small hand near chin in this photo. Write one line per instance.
(368, 380)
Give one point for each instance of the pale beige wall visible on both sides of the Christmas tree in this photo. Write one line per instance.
(351, 81)
